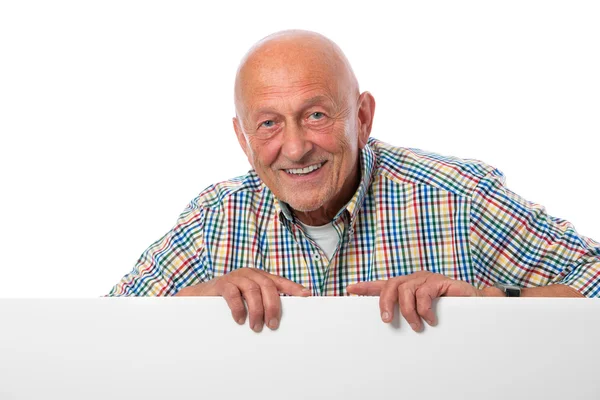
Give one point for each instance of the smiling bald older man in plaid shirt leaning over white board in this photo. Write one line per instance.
(326, 210)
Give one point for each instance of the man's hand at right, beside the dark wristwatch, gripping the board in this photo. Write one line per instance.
(415, 294)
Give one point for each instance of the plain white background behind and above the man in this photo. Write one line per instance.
(115, 114)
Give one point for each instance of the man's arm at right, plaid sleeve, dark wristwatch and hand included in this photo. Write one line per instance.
(512, 241)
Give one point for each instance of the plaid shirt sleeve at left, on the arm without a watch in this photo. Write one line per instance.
(171, 263)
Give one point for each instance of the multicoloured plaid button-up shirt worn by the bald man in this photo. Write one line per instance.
(413, 211)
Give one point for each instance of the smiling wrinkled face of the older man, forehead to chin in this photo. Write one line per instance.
(298, 128)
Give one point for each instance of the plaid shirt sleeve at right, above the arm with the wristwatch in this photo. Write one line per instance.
(514, 241)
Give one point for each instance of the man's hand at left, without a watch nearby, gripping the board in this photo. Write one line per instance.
(260, 290)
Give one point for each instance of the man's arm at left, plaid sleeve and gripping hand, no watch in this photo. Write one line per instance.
(177, 265)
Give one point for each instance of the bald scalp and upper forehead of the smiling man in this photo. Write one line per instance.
(291, 57)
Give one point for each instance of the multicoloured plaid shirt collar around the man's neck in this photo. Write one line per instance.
(367, 168)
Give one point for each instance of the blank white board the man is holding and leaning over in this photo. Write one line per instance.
(325, 348)
